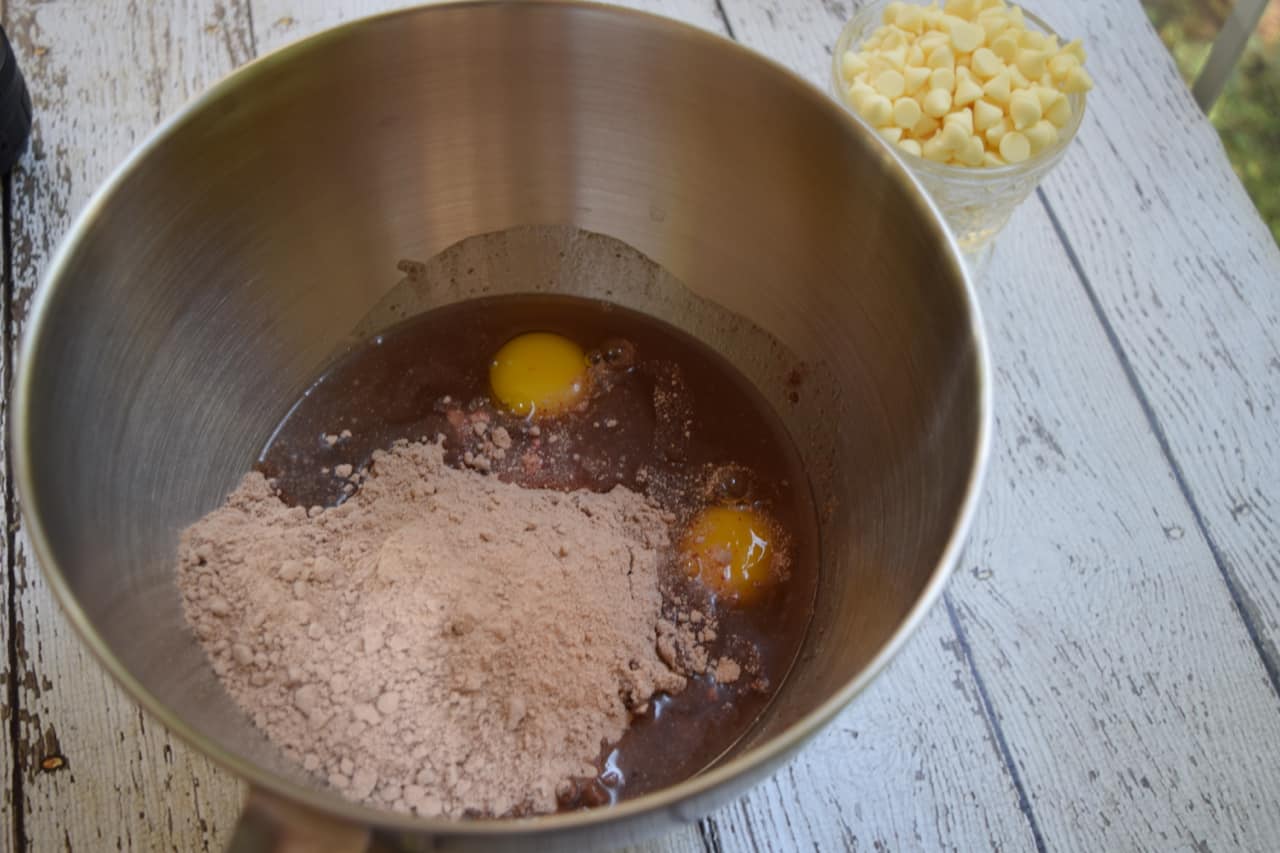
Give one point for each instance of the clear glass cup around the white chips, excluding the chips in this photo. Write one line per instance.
(976, 202)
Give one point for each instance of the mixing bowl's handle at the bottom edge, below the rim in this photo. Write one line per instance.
(273, 825)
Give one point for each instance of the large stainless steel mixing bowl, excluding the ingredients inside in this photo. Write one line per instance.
(237, 250)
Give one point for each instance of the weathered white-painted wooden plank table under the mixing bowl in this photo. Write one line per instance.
(1104, 672)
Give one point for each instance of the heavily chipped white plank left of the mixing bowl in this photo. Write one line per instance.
(102, 75)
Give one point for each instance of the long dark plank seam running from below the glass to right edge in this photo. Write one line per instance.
(1235, 589)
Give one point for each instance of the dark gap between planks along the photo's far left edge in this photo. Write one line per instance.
(12, 697)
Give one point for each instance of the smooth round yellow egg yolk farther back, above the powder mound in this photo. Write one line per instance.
(538, 375)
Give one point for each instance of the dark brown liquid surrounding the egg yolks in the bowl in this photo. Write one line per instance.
(673, 421)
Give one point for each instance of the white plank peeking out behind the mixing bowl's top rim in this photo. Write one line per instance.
(278, 22)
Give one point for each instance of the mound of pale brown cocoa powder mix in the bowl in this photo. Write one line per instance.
(442, 642)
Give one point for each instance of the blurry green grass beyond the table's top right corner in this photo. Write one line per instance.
(1247, 116)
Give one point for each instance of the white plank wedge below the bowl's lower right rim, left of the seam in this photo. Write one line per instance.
(913, 764)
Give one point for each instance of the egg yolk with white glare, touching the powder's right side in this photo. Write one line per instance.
(729, 550)
